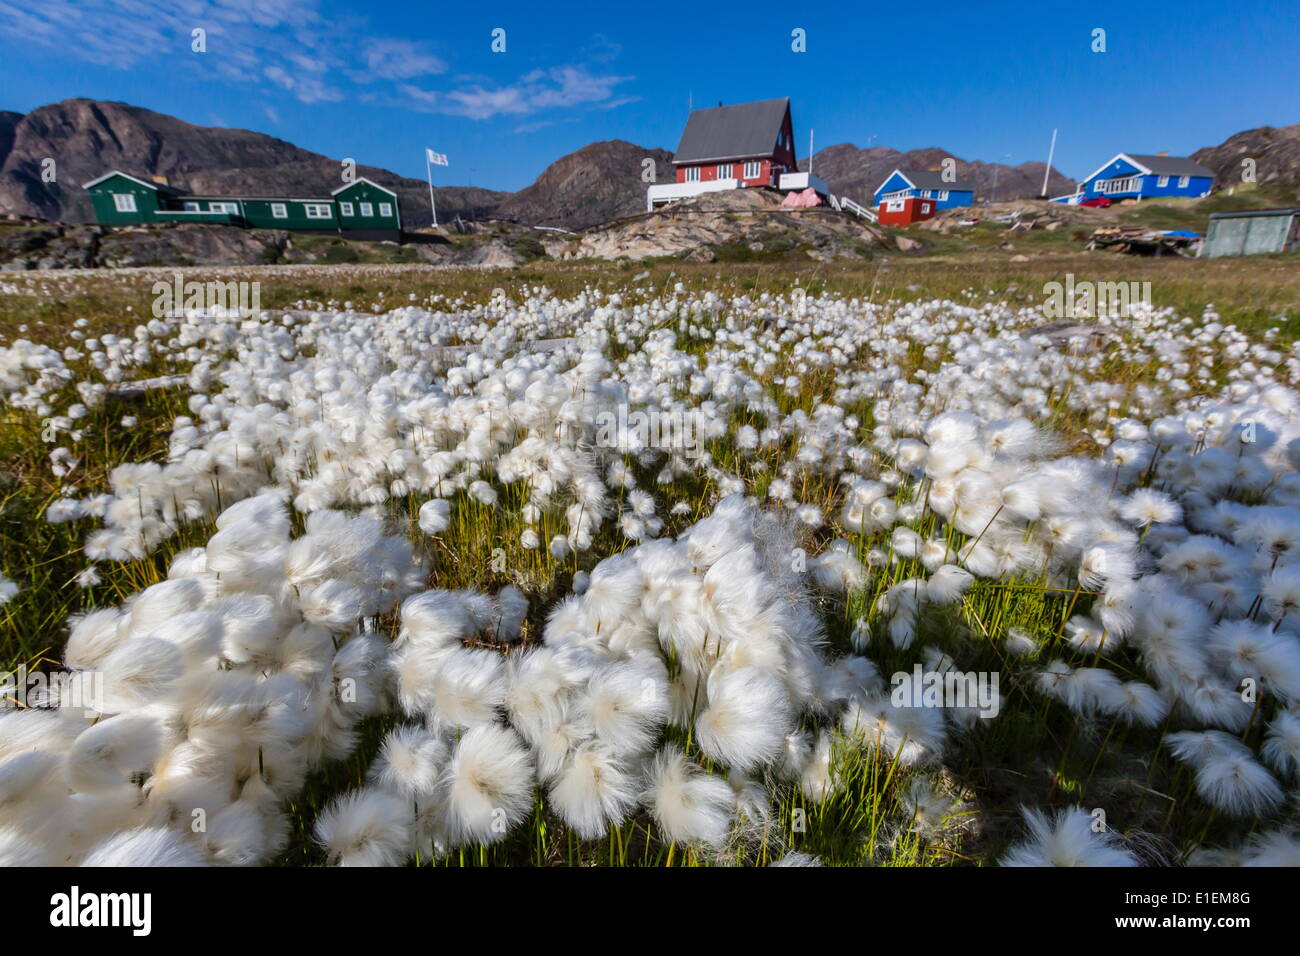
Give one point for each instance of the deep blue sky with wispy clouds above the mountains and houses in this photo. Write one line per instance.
(379, 83)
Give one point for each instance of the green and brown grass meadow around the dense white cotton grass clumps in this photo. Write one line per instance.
(879, 806)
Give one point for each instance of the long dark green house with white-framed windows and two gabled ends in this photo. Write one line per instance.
(361, 210)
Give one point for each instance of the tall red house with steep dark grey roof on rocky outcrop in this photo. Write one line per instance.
(751, 142)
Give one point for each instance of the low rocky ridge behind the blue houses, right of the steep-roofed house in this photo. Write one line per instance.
(857, 174)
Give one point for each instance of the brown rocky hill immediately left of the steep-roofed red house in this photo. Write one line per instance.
(596, 184)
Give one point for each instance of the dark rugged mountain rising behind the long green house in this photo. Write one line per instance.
(86, 139)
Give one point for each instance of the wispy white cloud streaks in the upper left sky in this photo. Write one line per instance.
(294, 47)
